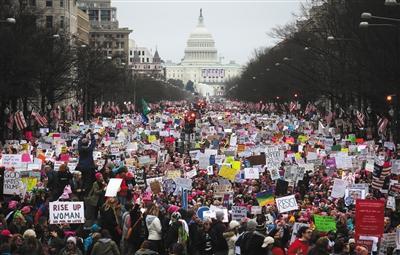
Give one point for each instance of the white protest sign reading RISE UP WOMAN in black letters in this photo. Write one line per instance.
(64, 212)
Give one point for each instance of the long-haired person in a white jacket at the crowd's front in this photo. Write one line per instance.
(154, 228)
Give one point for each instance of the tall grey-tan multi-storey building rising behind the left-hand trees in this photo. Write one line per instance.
(104, 29)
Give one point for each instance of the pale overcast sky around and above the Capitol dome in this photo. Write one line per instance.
(238, 26)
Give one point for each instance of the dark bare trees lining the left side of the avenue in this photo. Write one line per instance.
(40, 68)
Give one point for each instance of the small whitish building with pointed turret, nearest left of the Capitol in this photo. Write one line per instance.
(144, 63)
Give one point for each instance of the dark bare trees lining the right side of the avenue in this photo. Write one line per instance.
(344, 50)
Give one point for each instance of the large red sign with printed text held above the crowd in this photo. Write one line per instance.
(369, 217)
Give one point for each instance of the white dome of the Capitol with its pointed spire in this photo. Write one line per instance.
(200, 47)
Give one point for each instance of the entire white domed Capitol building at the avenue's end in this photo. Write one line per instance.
(201, 64)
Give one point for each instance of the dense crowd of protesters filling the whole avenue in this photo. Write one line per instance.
(151, 214)
